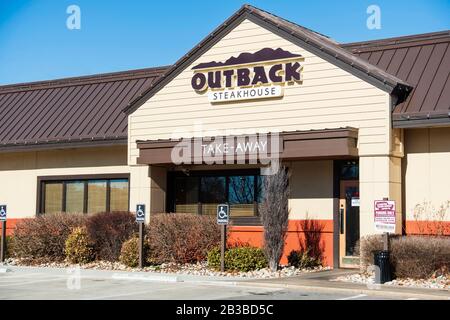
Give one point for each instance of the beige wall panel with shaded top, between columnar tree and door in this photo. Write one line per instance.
(311, 185)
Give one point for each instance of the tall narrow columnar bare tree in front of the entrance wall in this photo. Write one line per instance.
(274, 213)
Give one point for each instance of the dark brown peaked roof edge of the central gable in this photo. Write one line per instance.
(317, 43)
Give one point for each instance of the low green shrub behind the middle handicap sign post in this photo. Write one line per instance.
(239, 259)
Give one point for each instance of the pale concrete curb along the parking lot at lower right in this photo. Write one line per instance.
(406, 292)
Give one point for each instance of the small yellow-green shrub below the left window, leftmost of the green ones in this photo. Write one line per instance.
(79, 248)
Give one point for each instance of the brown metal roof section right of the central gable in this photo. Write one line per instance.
(421, 60)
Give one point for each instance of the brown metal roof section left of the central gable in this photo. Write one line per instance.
(72, 111)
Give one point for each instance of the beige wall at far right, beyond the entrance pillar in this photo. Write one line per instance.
(427, 172)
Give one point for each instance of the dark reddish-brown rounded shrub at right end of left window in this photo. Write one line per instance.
(108, 231)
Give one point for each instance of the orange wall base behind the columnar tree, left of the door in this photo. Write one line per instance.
(320, 233)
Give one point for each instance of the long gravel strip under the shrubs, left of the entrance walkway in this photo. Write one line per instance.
(198, 269)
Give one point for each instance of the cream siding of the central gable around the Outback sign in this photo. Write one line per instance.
(328, 98)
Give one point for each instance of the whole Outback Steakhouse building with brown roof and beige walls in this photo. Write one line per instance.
(354, 122)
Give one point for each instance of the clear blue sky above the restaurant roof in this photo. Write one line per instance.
(35, 43)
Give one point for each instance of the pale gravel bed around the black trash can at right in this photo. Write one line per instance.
(439, 282)
